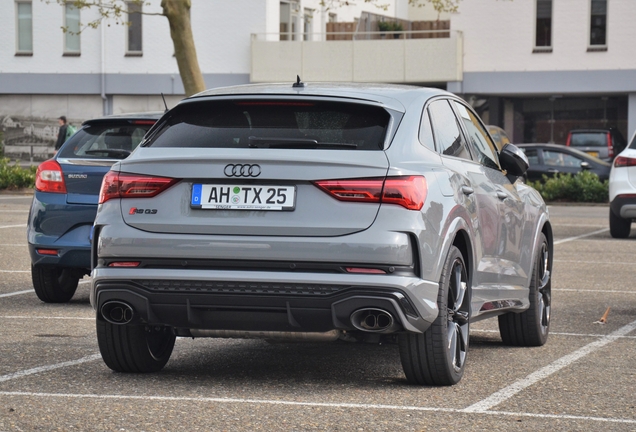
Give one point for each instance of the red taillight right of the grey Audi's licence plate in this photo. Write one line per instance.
(408, 192)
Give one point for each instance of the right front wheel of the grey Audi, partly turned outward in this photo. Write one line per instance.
(531, 327)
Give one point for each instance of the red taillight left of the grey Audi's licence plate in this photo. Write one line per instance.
(123, 185)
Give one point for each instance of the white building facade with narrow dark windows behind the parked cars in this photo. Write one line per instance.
(536, 67)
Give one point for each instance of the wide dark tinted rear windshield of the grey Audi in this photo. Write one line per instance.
(274, 124)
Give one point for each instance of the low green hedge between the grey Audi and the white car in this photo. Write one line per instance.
(582, 187)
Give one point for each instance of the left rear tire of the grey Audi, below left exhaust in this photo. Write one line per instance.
(134, 348)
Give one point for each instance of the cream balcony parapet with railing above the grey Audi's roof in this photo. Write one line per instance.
(395, 56)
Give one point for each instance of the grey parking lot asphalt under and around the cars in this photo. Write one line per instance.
(584, 378)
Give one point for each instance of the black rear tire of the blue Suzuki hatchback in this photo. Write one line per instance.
(54, 284)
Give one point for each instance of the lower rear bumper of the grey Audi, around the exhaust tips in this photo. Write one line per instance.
(264, 301)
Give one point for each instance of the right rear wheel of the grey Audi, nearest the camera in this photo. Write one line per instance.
(438, 356)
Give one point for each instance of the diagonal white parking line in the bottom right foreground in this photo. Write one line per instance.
(507, 392)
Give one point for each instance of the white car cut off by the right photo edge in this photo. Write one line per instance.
(623, 191)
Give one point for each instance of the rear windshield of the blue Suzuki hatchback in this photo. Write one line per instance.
(105, 141)
